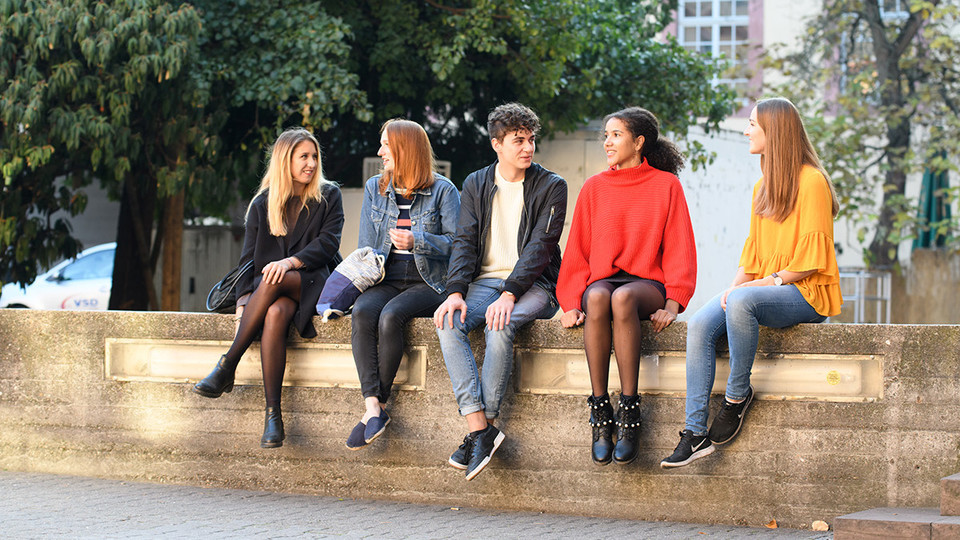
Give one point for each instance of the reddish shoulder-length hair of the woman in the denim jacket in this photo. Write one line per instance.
(413, 161)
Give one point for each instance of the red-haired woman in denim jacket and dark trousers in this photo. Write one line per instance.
(409, 214)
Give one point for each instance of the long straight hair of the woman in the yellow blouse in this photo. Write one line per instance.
(786, 150)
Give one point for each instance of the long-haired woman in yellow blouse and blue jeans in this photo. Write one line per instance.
(788, 275)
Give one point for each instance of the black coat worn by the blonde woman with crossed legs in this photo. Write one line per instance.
(315, 240)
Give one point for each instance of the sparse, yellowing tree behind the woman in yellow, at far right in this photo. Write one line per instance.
(891, 82)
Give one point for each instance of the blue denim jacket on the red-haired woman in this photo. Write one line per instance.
(433, 222)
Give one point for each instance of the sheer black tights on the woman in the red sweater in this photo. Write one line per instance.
(613, 312)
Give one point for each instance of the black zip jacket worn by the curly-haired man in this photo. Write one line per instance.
(544, 212)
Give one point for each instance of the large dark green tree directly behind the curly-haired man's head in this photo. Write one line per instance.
(445, 64)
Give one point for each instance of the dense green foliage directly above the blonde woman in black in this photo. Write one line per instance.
(265, 66)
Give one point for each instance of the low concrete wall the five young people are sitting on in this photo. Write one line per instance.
(800, 457)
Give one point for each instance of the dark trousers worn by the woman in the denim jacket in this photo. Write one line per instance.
(378, 318)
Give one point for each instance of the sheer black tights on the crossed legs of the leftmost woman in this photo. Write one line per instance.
(268, 313)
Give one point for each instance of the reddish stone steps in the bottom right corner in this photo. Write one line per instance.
(906, 523)
